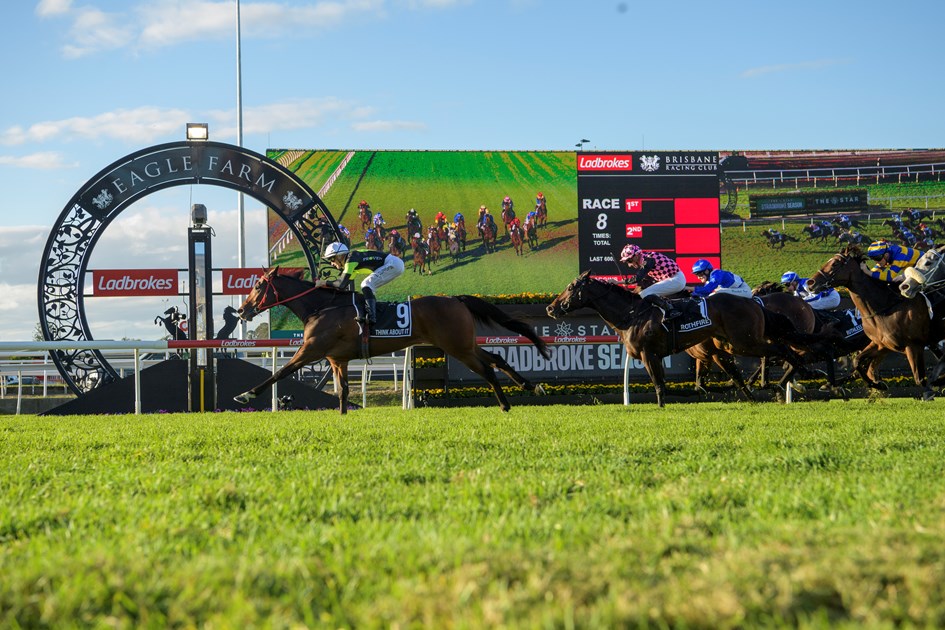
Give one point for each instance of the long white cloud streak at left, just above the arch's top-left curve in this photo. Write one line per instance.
(142, 125)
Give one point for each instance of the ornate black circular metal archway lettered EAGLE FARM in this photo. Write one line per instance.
(107, 194)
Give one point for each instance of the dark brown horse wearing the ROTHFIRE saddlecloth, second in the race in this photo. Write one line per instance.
(743, 326)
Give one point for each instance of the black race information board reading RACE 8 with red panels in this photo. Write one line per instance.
(663, 201)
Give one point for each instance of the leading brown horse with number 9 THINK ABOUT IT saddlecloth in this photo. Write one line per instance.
(332, 332)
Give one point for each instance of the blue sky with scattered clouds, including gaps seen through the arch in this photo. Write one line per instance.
(89, 82)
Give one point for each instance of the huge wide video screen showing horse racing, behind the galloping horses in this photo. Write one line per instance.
(518, 222)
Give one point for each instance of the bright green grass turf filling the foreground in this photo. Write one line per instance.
(701, 515)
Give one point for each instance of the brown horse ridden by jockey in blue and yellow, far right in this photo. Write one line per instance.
(891, 322)
